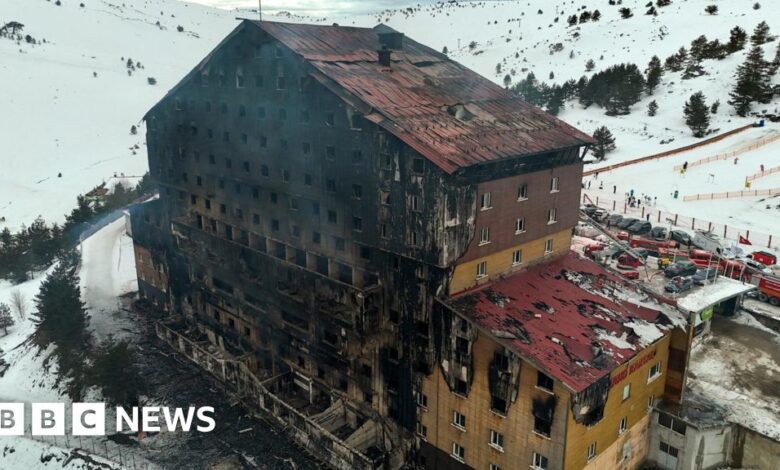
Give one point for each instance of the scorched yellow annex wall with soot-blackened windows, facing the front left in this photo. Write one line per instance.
(516, 428)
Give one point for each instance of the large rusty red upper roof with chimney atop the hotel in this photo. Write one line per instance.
(417, 97)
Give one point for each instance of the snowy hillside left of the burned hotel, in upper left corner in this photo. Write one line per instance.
(60, 118)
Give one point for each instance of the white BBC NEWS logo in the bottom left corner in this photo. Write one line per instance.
(89, 419)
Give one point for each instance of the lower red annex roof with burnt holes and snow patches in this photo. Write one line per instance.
(572, 318)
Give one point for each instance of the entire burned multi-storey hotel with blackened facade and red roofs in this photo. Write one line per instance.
(372, 242)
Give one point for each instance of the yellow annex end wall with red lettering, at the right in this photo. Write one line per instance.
(628, 406)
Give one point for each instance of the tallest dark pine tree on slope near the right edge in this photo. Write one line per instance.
(752, 82)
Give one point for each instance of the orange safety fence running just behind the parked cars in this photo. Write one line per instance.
(656, 216)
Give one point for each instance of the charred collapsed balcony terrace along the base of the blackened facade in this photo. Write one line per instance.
(328, 428)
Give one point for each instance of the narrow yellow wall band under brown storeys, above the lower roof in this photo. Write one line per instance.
(470, 274)
